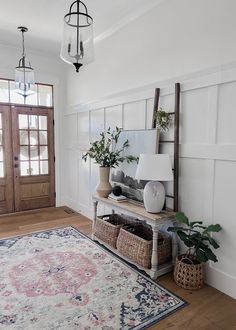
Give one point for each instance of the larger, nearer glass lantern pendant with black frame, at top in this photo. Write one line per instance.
(77, 43)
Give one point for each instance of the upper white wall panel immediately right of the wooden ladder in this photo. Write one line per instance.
(193, 122)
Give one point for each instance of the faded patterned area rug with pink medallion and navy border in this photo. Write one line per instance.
(60, 279)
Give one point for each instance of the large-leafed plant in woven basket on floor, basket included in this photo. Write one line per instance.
(188, 272)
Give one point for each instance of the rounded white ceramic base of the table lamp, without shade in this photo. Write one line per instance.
(154, 196)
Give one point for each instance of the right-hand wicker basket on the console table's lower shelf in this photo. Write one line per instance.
(135, 242)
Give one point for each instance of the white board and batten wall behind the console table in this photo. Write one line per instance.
(207, 150)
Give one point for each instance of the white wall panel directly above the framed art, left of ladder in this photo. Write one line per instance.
(135, 115)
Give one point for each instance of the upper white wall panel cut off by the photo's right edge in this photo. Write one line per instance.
(226, 127)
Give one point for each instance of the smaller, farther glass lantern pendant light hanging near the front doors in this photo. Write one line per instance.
(24, 73)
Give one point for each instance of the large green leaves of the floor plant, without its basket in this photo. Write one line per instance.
(197, 238)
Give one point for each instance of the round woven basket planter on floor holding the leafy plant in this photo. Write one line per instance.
(188, 275)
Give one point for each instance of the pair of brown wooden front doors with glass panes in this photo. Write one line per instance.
(28, 158)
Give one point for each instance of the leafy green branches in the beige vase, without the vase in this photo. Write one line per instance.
(104, 151)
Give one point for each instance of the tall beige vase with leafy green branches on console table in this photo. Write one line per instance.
(105, 153)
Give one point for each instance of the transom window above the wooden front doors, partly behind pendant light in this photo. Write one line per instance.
(43, 95)
